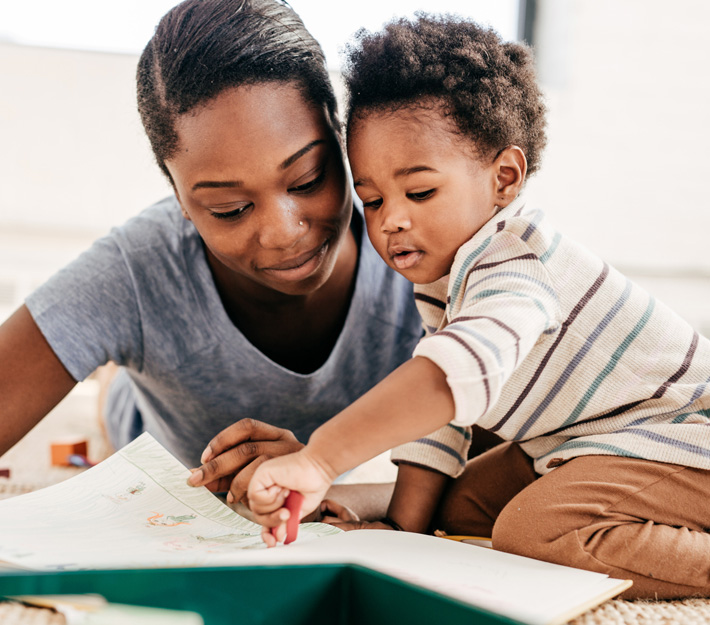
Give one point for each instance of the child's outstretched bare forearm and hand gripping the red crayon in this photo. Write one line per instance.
(413, 401)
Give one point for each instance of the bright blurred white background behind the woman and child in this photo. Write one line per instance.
(625, 169)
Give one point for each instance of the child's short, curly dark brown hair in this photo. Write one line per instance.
(487, 87)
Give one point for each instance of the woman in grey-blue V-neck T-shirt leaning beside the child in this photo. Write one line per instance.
(252, 295)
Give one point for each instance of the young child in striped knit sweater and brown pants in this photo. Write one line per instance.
(601, 391)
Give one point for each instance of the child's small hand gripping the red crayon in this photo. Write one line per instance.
(271, 484)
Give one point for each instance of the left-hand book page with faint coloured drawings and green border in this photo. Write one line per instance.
(133, 510)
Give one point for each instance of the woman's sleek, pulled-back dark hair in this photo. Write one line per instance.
(203, 47)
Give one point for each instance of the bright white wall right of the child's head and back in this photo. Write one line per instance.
(627, 163)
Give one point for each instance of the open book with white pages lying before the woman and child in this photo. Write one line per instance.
(135, 510)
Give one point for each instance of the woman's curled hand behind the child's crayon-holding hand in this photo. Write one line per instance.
(231, 457)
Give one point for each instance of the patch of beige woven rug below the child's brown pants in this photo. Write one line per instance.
(618, 612)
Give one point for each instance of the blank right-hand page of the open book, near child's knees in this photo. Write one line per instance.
(521, 588)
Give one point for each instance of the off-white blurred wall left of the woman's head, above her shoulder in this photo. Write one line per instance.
(74, 159)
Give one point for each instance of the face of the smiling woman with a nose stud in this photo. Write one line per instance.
(261, 177)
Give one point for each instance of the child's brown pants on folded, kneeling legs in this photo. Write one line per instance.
(628, 518)
